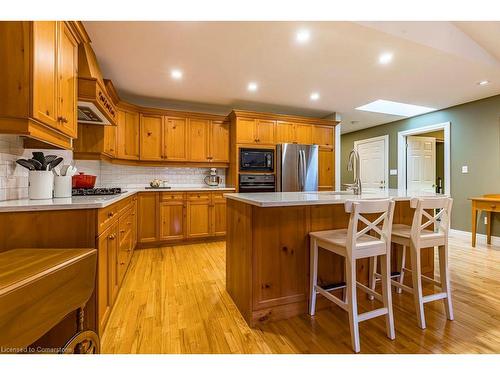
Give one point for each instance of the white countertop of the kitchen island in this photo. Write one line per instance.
(320, 197)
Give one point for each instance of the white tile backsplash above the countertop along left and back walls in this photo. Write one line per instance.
(14, 178)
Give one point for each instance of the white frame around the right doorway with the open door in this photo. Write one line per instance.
(445, 126)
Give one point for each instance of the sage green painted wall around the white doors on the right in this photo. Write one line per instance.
(475, 141)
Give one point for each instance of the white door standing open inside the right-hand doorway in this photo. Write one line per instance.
(421, 163)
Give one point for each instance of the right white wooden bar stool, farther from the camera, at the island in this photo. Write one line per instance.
(416, 238)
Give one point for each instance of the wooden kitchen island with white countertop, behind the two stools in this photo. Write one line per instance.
(267, 249)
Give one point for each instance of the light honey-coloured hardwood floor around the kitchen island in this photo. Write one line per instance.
(173, 300)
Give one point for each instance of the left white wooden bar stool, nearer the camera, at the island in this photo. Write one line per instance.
(352, 245)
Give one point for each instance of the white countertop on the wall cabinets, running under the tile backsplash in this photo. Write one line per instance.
(86, 202)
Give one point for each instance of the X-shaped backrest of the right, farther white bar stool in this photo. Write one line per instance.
(423, 220)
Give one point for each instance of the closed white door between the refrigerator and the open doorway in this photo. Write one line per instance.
(374, 166)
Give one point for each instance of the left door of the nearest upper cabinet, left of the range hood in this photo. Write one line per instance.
(45, 82)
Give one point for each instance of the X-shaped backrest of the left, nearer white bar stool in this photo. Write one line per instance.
(382, 225)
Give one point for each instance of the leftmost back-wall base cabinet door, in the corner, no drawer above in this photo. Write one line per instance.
(147, 217)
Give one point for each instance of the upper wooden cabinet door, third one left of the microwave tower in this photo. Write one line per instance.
(176, 139)
